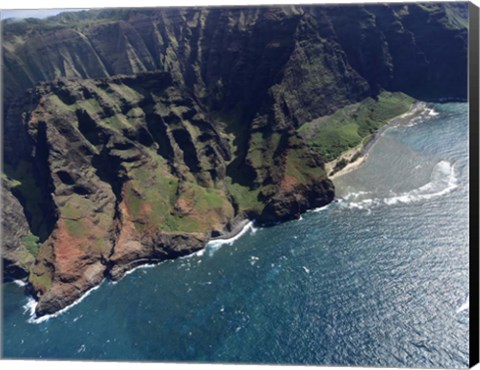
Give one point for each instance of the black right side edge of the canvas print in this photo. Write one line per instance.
(473, 99)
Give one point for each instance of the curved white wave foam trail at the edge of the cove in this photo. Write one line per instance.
(442, 181)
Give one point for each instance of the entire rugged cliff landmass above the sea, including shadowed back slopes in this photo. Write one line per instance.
(132, 136)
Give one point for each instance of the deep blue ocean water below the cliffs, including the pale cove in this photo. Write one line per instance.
(379, 278)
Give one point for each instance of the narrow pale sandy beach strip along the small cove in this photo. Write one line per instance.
(362, 149)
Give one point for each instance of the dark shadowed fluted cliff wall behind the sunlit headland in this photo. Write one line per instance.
(228, 55)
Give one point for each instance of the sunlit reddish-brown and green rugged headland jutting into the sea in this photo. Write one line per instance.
(136, 173)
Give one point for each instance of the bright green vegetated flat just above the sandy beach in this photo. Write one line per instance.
(348, 127)
